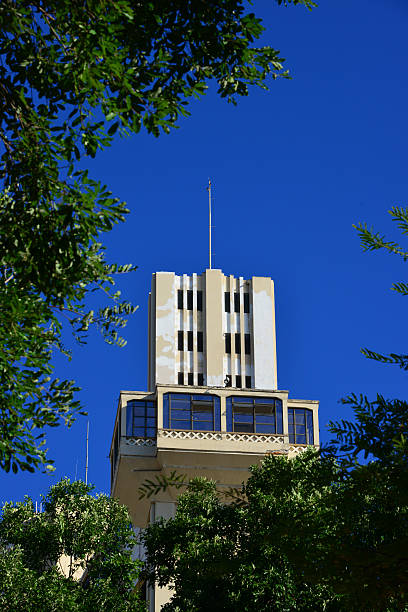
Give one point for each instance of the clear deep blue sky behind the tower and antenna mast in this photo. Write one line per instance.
(293, 169)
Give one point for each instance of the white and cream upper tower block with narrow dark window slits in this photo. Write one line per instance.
(212, 330)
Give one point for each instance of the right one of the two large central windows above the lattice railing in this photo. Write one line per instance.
(255, 415)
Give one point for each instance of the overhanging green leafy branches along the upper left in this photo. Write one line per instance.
(71, 76)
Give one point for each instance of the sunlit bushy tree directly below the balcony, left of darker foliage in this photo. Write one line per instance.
(234, 553)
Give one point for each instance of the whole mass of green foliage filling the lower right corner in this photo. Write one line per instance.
(303, 534)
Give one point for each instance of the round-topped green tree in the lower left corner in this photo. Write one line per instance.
(74, 555)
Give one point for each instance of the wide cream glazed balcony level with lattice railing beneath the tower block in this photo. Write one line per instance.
(201, 427)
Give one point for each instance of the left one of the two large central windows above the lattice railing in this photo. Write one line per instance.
(194, 412)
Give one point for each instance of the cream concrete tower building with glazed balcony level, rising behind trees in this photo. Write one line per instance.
(213, 407)
